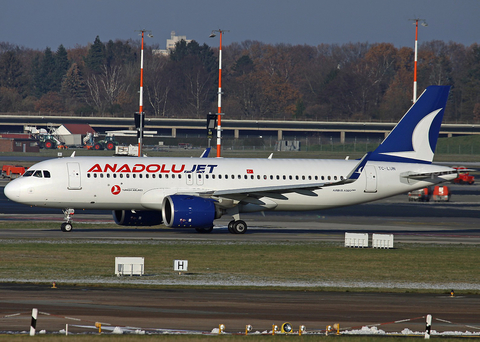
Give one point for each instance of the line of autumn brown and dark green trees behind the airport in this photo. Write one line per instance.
(356, 81)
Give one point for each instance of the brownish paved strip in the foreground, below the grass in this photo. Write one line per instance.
(203, 310)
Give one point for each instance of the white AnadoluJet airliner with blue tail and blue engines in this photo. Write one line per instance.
(193, 192)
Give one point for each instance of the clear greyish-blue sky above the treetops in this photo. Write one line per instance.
(40, 23)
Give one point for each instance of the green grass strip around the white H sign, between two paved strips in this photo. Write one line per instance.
(279, 263)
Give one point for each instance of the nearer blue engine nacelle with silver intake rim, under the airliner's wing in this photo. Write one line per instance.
(183, 211)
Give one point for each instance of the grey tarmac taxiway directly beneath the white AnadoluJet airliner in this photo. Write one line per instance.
(457, 221)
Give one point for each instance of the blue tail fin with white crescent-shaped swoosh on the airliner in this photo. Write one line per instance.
(414, 138)
